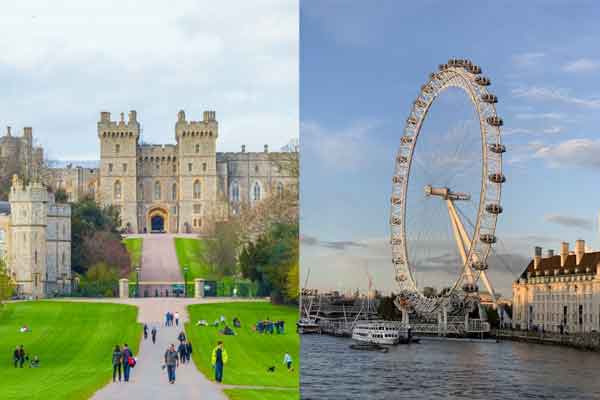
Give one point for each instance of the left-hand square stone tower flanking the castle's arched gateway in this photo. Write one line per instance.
(118, 166)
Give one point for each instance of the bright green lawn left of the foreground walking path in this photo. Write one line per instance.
(74, 342)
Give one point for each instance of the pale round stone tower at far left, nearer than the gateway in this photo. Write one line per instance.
(28, 220)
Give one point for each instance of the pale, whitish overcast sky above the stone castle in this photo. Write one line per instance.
(62, 64)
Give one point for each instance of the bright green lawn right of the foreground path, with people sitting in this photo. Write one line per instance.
(250, 353)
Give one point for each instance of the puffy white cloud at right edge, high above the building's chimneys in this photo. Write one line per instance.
(574, 152)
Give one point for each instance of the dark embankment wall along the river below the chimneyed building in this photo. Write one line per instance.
(583, 341)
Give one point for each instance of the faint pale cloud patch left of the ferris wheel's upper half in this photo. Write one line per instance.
(338, 148)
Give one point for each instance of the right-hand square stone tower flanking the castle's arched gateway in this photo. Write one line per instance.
(197, 172)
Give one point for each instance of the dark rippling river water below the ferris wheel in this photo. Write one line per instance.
(447, 369)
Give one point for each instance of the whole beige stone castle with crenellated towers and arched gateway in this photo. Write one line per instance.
(185, 187)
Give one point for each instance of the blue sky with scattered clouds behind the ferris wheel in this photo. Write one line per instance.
(360, 70)
